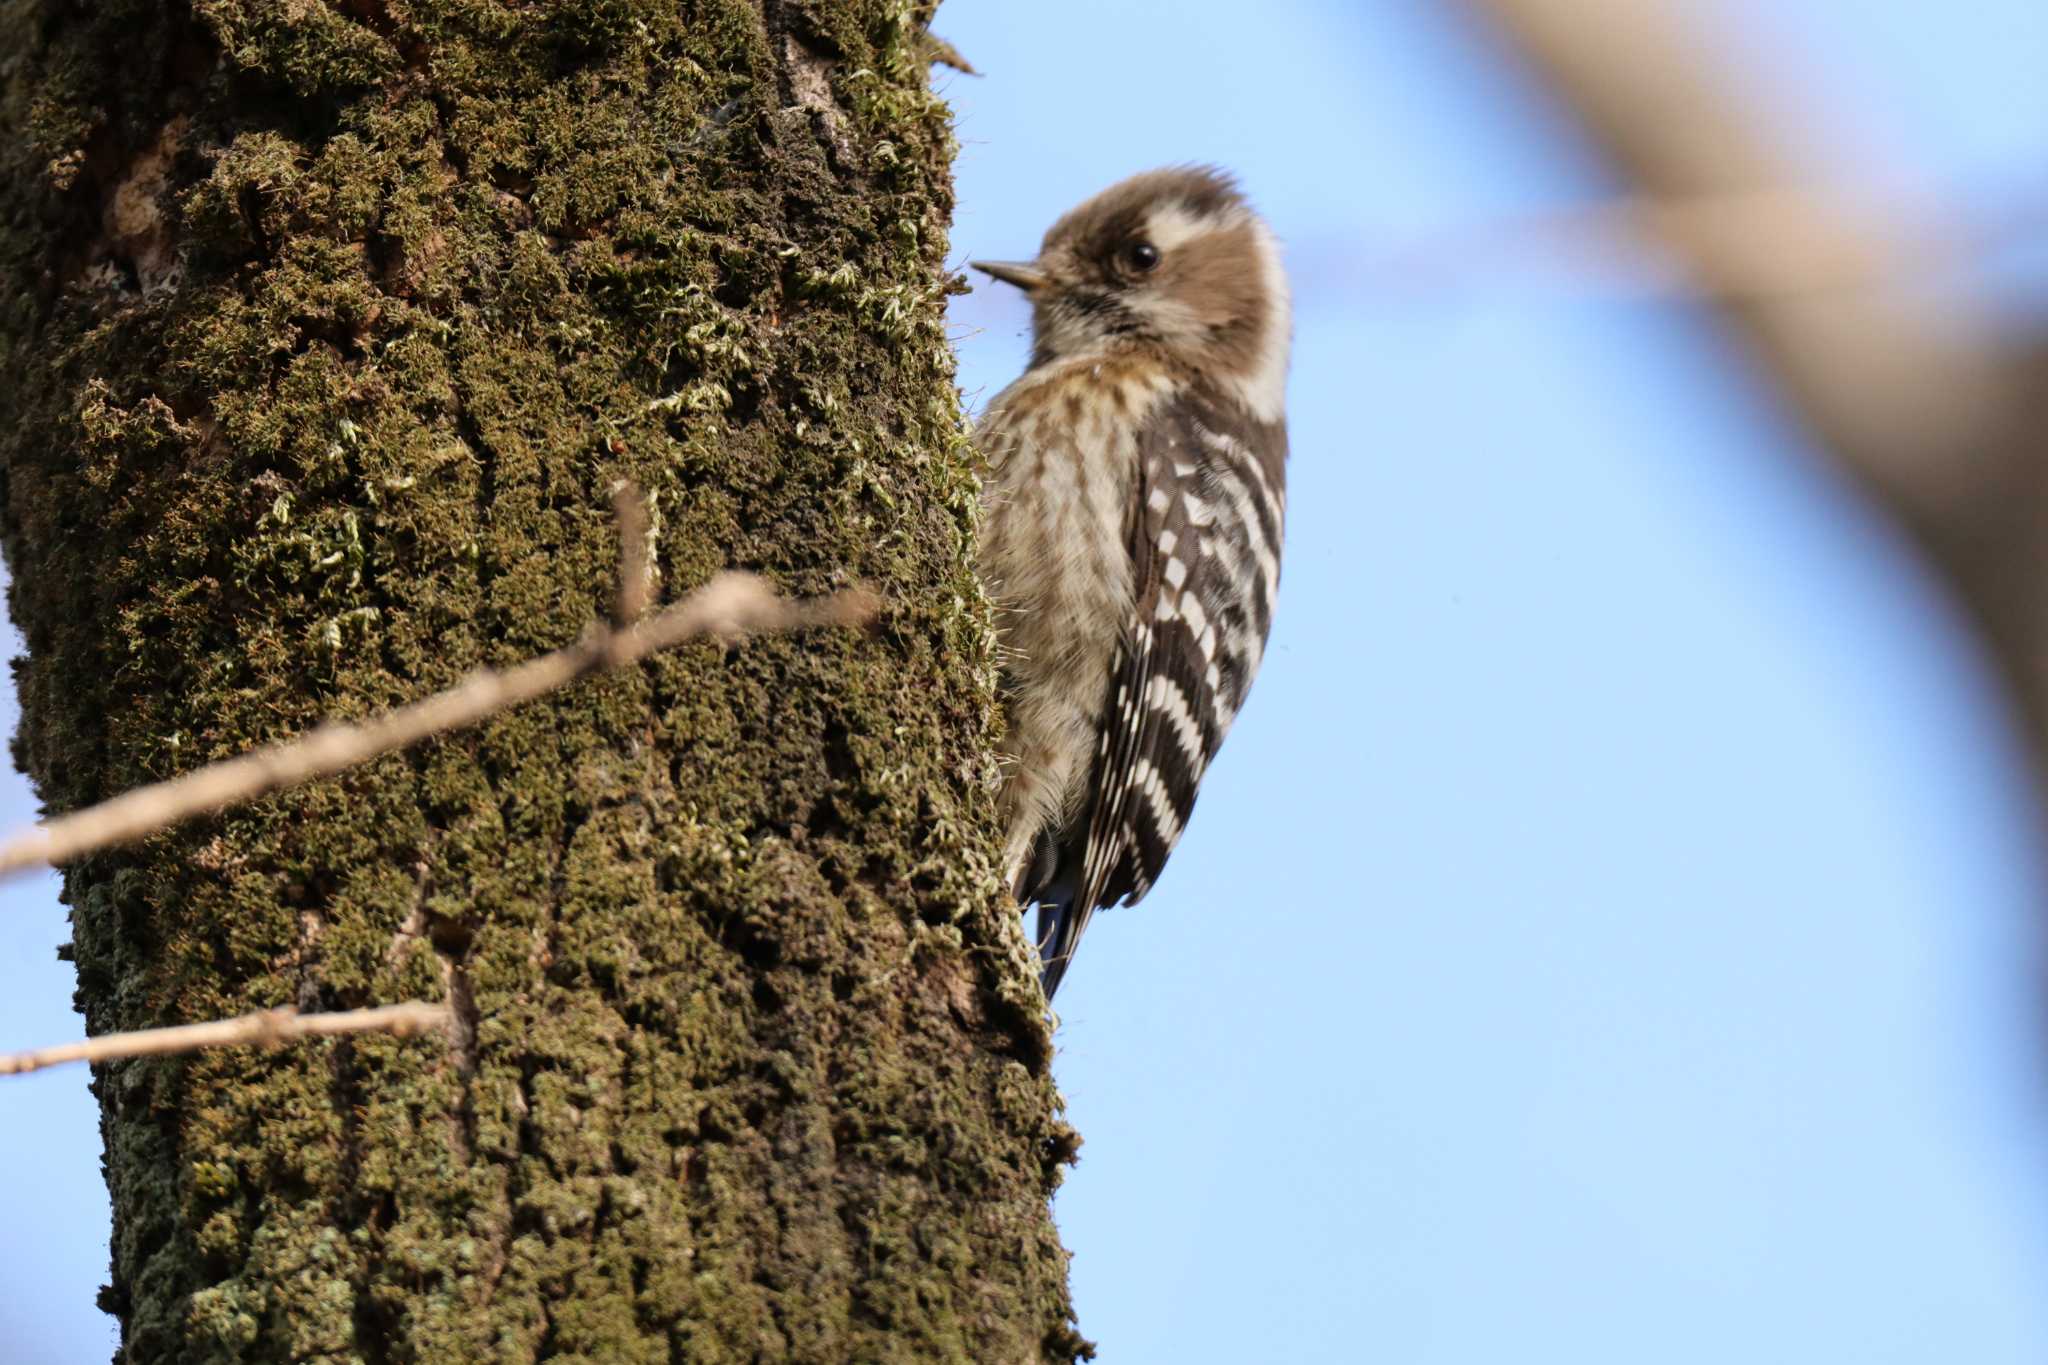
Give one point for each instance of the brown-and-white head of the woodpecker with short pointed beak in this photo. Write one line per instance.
(1175, 261)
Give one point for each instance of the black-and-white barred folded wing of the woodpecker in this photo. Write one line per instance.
(1205, 547)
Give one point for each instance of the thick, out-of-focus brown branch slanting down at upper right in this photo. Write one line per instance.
(1912, 390)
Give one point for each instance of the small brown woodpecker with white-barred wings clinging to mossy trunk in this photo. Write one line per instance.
(1132, 531)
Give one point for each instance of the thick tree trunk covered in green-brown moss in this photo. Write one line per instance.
(329, 331)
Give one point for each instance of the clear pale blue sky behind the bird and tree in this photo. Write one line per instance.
(1609, 934)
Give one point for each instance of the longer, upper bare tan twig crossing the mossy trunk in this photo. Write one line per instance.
(728, 607)
